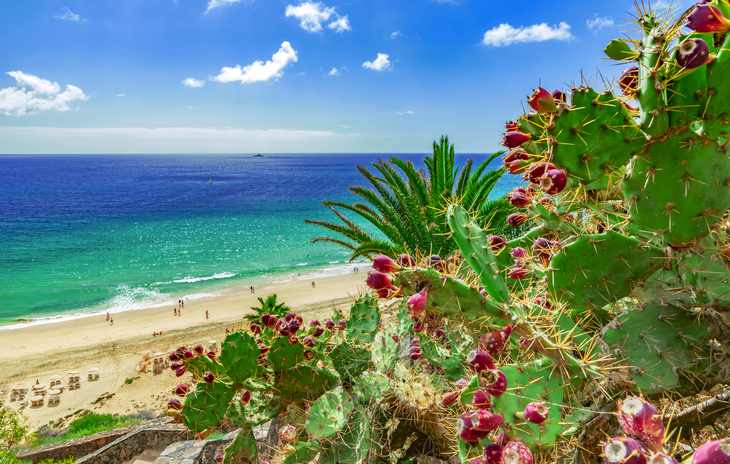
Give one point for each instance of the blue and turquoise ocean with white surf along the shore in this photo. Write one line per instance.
(87, 234)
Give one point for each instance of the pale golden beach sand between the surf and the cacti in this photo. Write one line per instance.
(35, 353)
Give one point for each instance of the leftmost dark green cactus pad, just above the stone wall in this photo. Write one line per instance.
(206, 405)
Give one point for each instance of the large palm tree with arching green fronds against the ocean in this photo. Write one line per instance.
(407, 207)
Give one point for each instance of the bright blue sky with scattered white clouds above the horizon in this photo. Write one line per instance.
(286, 76)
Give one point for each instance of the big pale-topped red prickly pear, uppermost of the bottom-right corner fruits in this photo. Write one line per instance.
(641, 420)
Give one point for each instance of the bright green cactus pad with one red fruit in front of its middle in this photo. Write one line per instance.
(536, 381)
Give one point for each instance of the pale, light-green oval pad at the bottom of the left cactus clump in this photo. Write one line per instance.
(328, 414)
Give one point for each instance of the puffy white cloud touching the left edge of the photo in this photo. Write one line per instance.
(43, 96)
